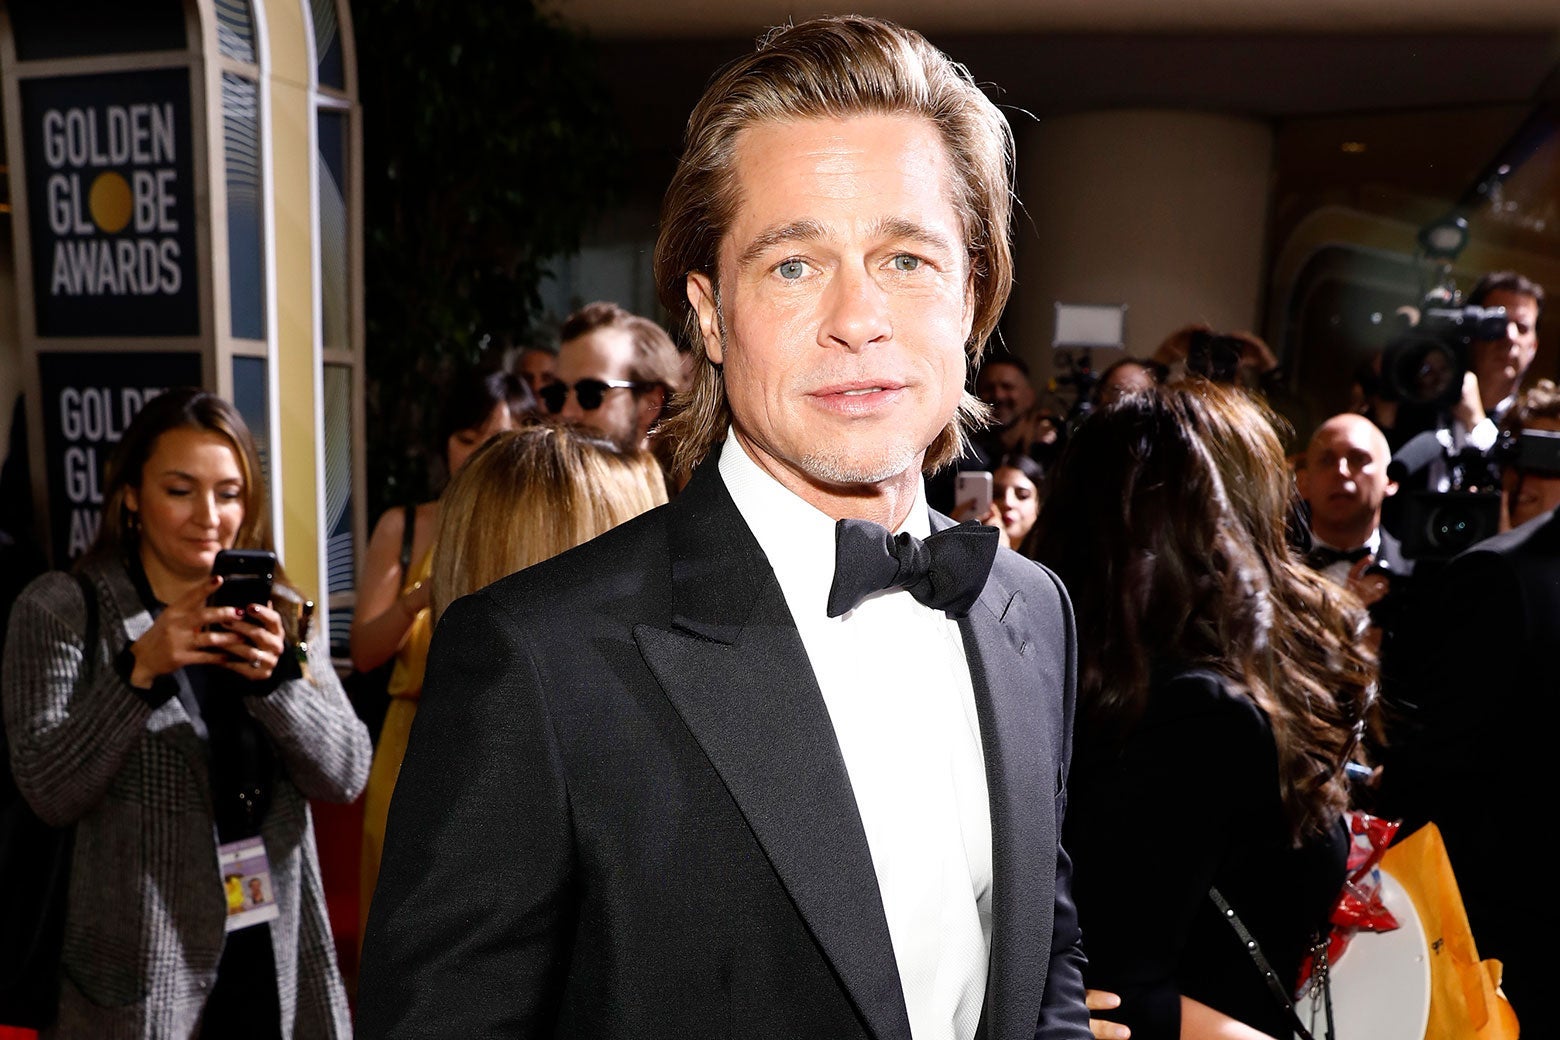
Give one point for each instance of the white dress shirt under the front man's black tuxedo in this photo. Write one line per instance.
(898, 688)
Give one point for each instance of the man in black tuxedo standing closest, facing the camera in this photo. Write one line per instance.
(698, 780)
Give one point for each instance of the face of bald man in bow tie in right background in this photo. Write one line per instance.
(1345, 476)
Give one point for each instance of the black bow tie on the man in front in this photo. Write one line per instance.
(948, 571)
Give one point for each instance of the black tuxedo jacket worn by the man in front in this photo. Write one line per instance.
(623, 812)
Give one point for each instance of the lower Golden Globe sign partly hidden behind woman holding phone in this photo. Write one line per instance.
(88, 403)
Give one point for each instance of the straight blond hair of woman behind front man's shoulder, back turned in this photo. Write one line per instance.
(531, 493)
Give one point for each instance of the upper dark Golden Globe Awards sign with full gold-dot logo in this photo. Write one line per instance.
(112, 203)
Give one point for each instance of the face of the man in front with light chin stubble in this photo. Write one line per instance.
(845, 300)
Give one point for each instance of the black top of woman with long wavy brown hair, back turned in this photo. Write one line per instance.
(1188, 801)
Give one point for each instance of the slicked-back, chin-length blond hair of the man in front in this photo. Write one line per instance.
(832, 69)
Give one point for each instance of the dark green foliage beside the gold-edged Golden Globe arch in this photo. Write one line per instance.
(489, 147)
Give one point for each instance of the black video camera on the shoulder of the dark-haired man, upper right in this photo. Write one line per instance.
(1425, 366)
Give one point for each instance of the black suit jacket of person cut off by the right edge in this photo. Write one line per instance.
(1480, 760)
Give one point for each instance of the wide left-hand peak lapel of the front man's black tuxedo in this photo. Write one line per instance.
(737, 673)
